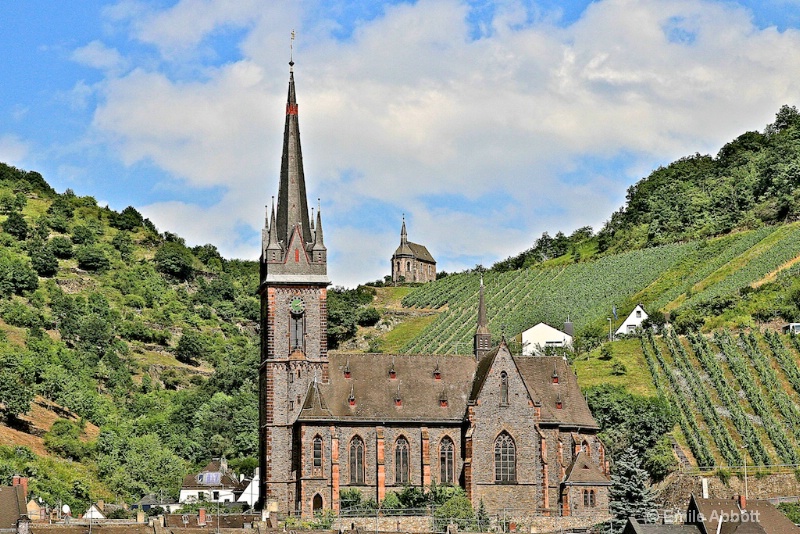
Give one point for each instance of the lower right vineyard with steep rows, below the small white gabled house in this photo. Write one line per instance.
(734, 394)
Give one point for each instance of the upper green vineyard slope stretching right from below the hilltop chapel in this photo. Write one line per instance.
(668, 278)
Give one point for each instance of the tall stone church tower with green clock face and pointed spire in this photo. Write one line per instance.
(293, 291)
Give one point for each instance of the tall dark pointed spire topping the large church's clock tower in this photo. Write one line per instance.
(292, 203)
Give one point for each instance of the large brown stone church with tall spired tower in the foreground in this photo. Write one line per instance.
(513, 431)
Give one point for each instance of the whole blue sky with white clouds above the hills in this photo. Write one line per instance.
(486, 123)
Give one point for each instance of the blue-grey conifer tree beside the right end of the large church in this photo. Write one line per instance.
(631, 494)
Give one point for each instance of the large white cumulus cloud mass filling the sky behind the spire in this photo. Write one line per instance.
(412, 107)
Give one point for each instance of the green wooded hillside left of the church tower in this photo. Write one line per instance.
(126, 357)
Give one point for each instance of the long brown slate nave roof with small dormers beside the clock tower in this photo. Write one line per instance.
(375, 392)
